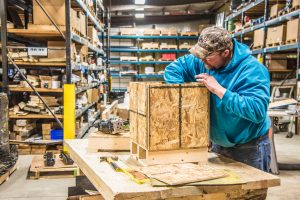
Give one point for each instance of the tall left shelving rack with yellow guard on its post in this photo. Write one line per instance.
(69, 91)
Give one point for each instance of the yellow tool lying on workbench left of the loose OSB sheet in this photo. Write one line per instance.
(134, 175)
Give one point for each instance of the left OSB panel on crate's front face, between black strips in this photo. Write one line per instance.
(164, 123)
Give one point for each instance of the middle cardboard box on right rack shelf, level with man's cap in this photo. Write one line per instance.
(276, 35)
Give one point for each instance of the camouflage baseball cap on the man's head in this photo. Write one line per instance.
(212, 39)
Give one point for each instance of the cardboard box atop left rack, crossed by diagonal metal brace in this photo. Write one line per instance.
(56, 9)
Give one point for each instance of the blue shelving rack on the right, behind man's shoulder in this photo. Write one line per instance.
(261, 8)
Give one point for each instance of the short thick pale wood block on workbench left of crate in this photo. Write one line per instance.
(106, 142)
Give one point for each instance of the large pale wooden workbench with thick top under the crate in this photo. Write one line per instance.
(251, 182)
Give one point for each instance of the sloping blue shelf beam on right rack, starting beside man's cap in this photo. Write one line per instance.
(271, 22)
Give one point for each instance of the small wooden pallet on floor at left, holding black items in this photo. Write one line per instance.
(59, 170)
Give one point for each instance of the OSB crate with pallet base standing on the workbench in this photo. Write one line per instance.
(169, 121)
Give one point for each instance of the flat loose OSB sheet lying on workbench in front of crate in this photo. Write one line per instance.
(180, 174)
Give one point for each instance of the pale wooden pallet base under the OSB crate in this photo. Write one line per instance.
(147, 158)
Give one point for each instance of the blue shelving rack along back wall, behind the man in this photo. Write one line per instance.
(135, 49)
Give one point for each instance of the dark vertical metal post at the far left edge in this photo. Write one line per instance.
(3, 15)
